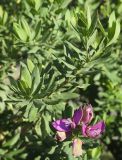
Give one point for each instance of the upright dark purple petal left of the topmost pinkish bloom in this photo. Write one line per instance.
(77, 116)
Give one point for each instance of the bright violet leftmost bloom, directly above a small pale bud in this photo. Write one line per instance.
(63, 125)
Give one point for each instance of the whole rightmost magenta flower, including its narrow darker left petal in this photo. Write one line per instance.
(93, 131)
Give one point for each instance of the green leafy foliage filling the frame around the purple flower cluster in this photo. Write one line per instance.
(56, 55)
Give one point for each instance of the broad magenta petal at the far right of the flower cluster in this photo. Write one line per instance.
(95, 130)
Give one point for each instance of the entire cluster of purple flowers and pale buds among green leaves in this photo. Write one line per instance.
(79, 122)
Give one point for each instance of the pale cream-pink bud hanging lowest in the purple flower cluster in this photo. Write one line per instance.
(77, 148)
